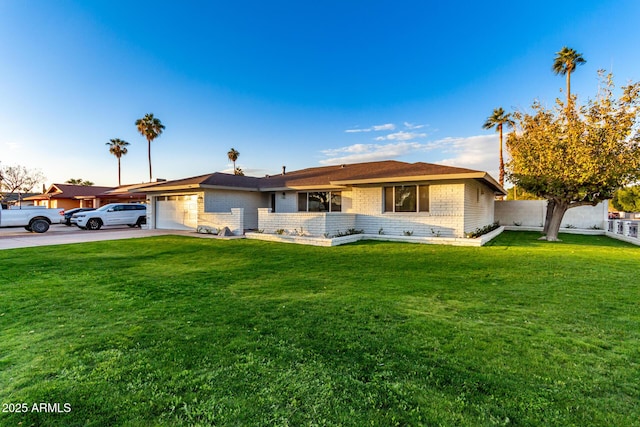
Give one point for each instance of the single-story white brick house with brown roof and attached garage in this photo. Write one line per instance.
(387, 197)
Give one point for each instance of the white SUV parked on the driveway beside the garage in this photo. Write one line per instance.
(130, 214)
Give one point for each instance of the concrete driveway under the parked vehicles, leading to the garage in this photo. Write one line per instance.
(58, 234)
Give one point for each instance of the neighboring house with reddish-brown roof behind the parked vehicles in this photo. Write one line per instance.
(68, 196)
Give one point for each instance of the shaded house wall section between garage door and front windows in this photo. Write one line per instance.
(222, 201)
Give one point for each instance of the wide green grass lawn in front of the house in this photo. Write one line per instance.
(183, 331)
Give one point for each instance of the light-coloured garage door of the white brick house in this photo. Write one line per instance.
(179, 212)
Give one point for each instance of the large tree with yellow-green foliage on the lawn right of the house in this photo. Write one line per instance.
(574, 156)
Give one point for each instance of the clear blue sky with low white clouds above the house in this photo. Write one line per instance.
(295, 83)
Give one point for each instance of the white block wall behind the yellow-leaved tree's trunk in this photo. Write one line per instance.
(532, 213)
